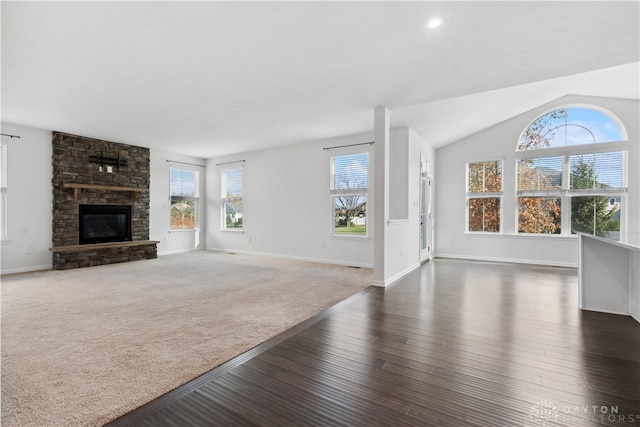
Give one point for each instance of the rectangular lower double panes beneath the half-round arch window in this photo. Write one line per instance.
(590, 187)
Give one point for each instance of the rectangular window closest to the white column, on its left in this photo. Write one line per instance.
(349, 189)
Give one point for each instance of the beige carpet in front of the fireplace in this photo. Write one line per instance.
(82, 347)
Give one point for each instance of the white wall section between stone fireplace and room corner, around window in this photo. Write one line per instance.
(173, 241)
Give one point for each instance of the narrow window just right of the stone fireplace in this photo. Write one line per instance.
(184, 193)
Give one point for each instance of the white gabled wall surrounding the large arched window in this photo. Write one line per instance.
(499, 142)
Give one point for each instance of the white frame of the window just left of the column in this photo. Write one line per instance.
(356, 192)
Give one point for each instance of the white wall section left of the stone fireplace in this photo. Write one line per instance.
(29, 200)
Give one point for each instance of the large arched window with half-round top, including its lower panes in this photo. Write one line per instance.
(570, 167)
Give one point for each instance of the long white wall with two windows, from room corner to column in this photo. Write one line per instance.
(286, 206)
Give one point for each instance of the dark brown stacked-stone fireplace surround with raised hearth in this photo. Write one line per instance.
(71, 165)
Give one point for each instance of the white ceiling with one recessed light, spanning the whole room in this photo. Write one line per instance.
(215, 78)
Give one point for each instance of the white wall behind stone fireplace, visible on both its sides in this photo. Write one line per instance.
(30, 202)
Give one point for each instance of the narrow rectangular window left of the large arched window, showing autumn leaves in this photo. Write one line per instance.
(484, 196)
